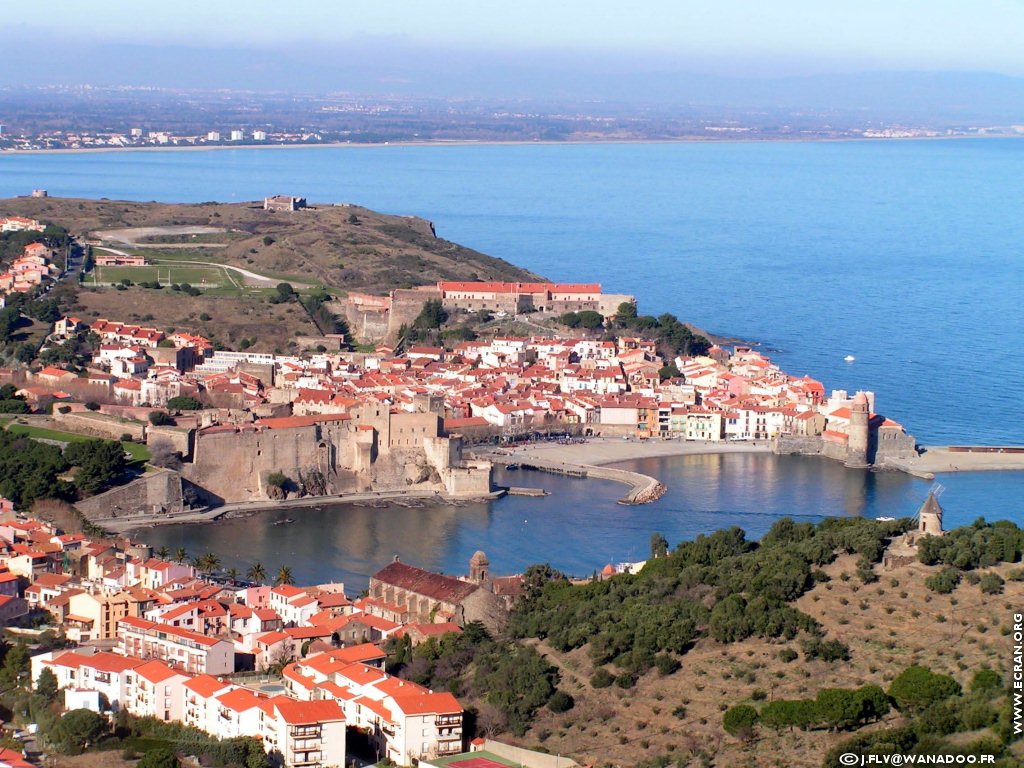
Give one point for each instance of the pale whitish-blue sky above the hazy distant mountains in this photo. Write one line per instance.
(733, 37)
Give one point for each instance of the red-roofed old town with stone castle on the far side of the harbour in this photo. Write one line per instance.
(403, 419)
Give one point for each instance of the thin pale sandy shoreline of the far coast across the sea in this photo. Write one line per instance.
(492, 143)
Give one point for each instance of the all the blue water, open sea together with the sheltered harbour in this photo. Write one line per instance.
(906, 254)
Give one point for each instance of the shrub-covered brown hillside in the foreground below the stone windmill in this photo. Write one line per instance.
(782, 653)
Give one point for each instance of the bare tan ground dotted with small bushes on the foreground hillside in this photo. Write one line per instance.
(889, 626)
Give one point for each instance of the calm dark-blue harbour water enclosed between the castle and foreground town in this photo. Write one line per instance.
(580, 528)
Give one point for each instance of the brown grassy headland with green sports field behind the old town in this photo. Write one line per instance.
(235, 255)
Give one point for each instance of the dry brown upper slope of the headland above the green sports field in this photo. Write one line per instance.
(347, 247)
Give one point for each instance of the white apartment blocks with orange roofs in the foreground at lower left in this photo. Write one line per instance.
(179, 664)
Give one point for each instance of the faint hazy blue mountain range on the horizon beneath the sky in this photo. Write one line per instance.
(398, 70)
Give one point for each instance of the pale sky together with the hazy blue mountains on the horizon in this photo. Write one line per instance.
(930, 60)
